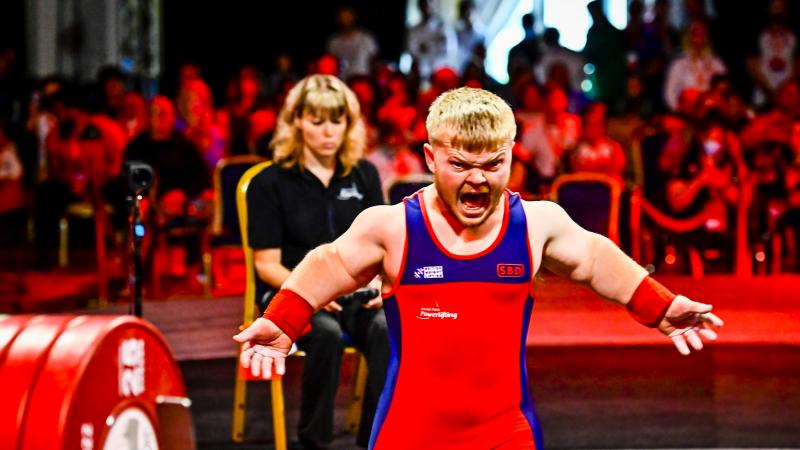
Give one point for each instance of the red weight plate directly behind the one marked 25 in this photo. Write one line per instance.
(25, 358)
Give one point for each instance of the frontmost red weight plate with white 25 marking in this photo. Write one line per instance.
(95, 368)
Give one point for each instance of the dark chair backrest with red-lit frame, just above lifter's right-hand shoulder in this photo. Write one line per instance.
(592, 200)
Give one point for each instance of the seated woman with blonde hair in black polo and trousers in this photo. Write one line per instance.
(316, 187)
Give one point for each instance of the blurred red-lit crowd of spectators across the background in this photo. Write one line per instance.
(650, 95)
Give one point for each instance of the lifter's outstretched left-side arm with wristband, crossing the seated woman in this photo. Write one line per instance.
(326, 272)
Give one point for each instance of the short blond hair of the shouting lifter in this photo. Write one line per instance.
(472, 119)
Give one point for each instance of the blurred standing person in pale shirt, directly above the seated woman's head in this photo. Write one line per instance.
(354, 47)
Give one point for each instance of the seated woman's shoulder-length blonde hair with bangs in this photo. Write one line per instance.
(323, 96)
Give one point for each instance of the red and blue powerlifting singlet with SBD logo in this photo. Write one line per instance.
(458, 325)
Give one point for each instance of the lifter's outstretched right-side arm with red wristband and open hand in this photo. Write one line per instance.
(594, 260)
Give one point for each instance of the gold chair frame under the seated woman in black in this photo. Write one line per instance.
(276, 383)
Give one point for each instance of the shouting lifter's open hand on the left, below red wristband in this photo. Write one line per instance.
(264, 345)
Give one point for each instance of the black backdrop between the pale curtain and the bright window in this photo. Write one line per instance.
(223, 38)
